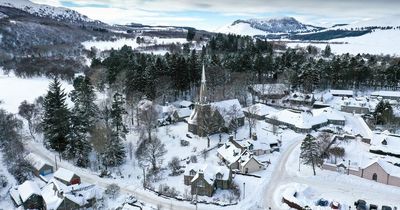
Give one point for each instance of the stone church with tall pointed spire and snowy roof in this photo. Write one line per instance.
(209, 118)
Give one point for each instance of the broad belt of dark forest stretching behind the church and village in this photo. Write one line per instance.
(234, 62)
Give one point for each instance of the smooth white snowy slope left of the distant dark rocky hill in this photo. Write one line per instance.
(243, 29)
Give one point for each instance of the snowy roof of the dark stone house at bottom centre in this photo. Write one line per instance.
(209, 171)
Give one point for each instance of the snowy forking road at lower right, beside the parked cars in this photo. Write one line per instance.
(339, 188)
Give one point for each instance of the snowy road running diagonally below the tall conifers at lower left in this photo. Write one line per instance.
(91, 178)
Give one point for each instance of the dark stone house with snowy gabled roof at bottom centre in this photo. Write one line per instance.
(205, 179)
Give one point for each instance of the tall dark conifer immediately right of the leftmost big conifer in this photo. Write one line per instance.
(83, 118)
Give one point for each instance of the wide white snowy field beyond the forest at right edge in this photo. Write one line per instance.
(378, 42)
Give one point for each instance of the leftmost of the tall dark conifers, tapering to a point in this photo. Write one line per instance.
(56, 117)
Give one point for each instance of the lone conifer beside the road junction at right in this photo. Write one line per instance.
(310, 153)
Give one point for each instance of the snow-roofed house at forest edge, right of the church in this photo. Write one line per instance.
(269, 91)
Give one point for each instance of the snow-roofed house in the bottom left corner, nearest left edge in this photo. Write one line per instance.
(28, 195)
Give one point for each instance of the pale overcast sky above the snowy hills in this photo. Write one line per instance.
(212, 14)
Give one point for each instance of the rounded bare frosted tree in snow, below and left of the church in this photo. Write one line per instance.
(153, 152)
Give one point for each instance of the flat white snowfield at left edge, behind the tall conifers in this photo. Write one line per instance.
(13, 90)
